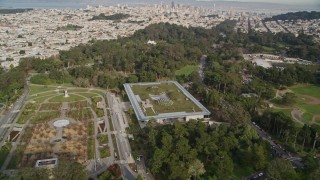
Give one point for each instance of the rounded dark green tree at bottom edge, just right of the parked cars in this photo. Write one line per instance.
(280, 169)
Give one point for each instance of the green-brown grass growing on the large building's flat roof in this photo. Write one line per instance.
(180, 102)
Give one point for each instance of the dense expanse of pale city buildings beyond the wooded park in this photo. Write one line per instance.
(40, 33)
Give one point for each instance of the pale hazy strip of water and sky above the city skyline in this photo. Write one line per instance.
(295, 5)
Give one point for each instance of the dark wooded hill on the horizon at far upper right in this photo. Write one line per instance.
(293, 16)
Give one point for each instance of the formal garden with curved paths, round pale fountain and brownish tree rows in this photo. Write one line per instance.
(58, 124)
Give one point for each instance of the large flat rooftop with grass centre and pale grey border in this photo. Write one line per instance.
(162, 100)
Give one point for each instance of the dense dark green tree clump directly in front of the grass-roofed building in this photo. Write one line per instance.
(182, 151)
